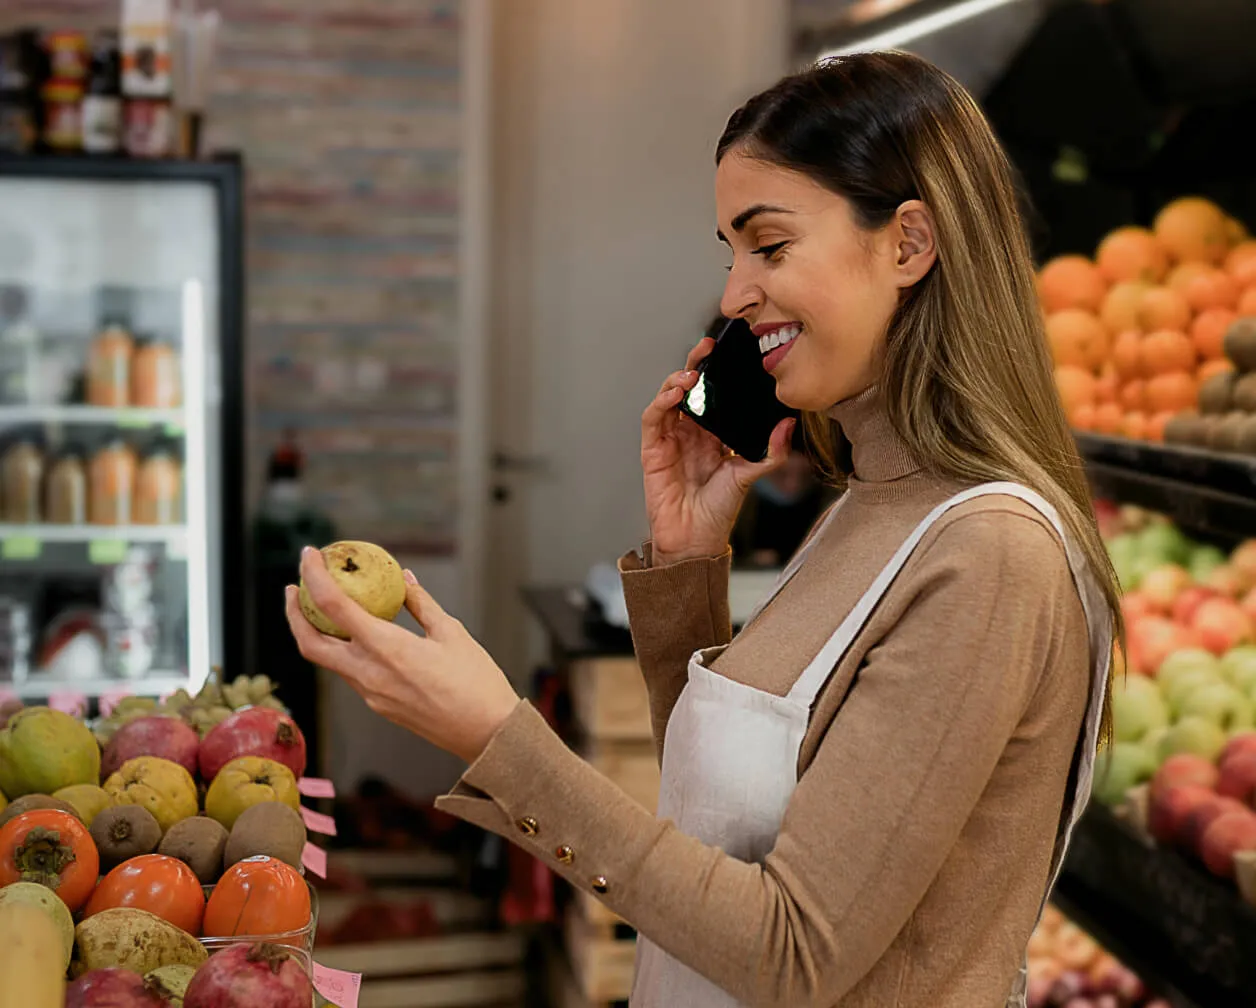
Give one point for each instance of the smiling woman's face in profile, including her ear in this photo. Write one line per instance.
(803, 268)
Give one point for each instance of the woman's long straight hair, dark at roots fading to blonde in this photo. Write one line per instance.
(968, 377)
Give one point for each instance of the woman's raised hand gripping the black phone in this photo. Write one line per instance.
(694, 485)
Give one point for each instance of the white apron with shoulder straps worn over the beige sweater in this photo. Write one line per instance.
(730, 755)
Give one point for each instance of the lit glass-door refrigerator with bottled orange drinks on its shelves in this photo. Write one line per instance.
(121, 427)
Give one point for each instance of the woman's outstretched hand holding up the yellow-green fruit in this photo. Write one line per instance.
(444, 686)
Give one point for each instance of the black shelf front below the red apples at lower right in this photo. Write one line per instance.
(1188, 933)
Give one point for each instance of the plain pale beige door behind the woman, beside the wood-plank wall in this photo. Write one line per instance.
(605, 263)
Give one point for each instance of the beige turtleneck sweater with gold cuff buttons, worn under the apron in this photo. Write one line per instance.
(915, 850)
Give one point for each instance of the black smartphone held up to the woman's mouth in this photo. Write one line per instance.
(735, 399)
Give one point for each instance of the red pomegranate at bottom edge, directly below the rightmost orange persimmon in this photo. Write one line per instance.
(248, 977)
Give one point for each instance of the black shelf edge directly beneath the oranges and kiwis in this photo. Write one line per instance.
(1201, 491)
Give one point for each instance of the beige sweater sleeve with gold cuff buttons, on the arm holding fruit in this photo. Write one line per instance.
(875, 815)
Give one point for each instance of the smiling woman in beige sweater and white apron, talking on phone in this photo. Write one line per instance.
(866, 794)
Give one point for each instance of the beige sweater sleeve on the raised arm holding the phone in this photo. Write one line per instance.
(673, 612)
